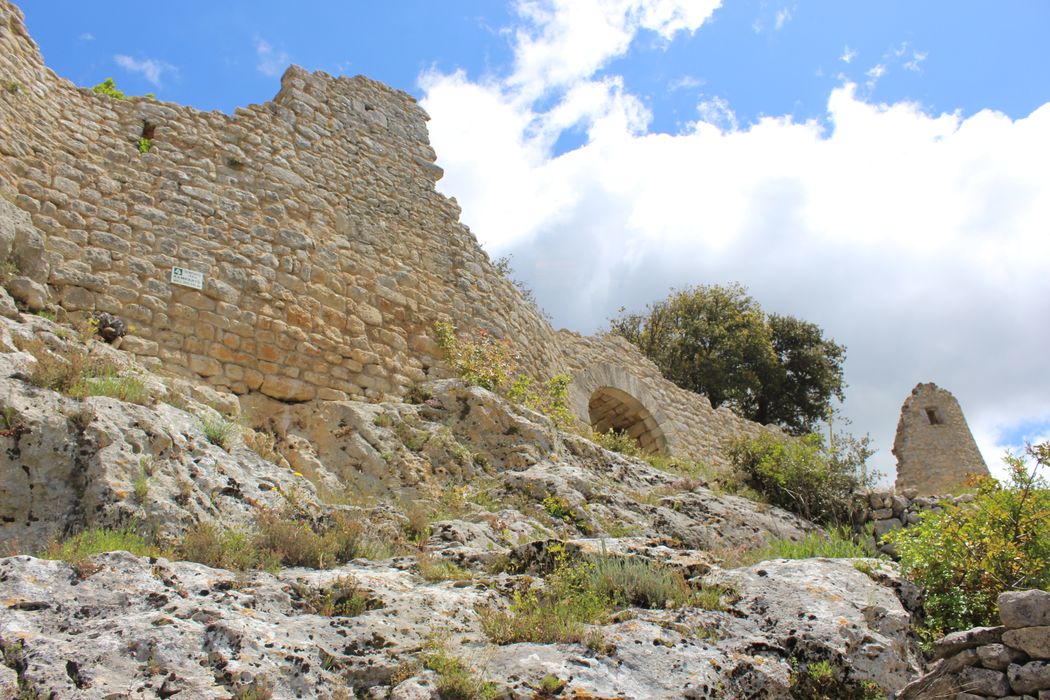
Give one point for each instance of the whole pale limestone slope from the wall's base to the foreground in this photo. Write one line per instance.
(458, 481)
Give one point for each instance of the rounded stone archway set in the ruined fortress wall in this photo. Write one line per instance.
(608, 397)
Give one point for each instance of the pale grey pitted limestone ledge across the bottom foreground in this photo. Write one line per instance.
(162, 629)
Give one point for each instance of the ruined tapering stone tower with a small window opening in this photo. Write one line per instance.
(935, 448)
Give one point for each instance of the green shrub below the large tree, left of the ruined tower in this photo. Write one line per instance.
(806, 476)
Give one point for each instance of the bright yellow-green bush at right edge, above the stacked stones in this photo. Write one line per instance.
(965, 556)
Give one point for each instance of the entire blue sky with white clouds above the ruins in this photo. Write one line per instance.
(880, 168)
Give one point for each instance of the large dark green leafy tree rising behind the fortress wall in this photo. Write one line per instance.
(718, 342)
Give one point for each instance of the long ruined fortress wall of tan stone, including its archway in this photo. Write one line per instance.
(326, 250)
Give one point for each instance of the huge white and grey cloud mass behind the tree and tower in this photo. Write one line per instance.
(916, 240)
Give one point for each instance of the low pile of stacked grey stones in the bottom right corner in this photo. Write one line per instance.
(1011, 661)
